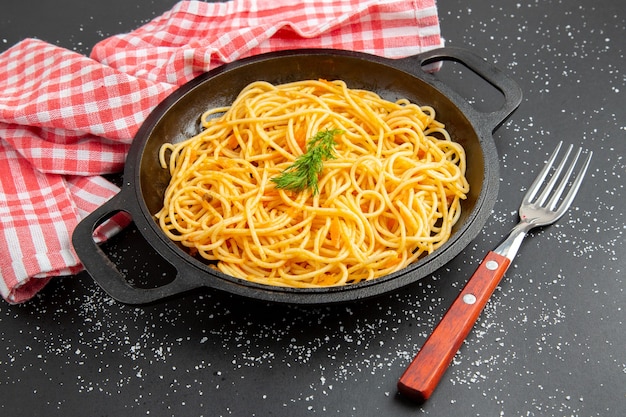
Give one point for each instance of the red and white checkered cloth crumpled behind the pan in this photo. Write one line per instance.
(66, 119)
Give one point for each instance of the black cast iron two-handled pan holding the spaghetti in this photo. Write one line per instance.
(176, 119)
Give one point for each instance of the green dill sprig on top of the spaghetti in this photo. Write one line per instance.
(305, 170)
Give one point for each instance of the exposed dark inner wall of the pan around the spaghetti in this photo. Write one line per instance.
(179, 120)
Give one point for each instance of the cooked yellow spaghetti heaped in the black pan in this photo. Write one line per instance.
(391, 195)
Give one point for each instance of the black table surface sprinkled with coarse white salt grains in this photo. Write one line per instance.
(551, 342)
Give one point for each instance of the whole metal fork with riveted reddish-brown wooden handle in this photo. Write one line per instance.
(542, 205)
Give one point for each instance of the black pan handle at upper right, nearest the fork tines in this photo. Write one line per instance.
(508, 87)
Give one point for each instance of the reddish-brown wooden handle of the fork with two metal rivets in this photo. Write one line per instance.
(423, 374)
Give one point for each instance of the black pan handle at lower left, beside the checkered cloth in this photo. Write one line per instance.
(105, 272)
